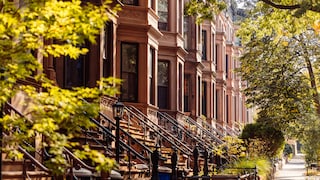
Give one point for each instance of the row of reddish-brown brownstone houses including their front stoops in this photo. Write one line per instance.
(172, 69)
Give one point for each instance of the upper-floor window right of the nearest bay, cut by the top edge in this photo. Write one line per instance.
(163, 14)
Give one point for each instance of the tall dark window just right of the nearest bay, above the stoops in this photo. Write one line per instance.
(163, 84)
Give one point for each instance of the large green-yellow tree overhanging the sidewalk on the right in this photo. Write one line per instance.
(280, 64)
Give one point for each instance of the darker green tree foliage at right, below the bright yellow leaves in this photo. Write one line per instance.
(281, 78)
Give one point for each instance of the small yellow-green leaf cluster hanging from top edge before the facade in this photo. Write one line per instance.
(203, 10)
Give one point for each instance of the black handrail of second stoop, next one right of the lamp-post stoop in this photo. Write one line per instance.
(188, 133)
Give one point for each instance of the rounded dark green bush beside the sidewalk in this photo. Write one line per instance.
(263, 140)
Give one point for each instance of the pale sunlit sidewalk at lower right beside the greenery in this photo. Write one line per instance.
(294, 170)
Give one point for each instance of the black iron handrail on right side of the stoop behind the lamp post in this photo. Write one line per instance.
(172, 141)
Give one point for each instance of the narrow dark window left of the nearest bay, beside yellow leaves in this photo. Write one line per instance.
(107, 50)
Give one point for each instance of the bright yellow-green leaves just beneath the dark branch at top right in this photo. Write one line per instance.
(265, 20)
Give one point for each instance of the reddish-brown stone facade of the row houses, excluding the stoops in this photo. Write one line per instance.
(168, 63)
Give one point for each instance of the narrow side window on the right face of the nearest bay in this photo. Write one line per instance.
(151, 75)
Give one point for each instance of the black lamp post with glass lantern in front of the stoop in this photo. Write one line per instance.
(117, 115)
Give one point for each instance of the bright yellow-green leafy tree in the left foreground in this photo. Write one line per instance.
(50, 28)
